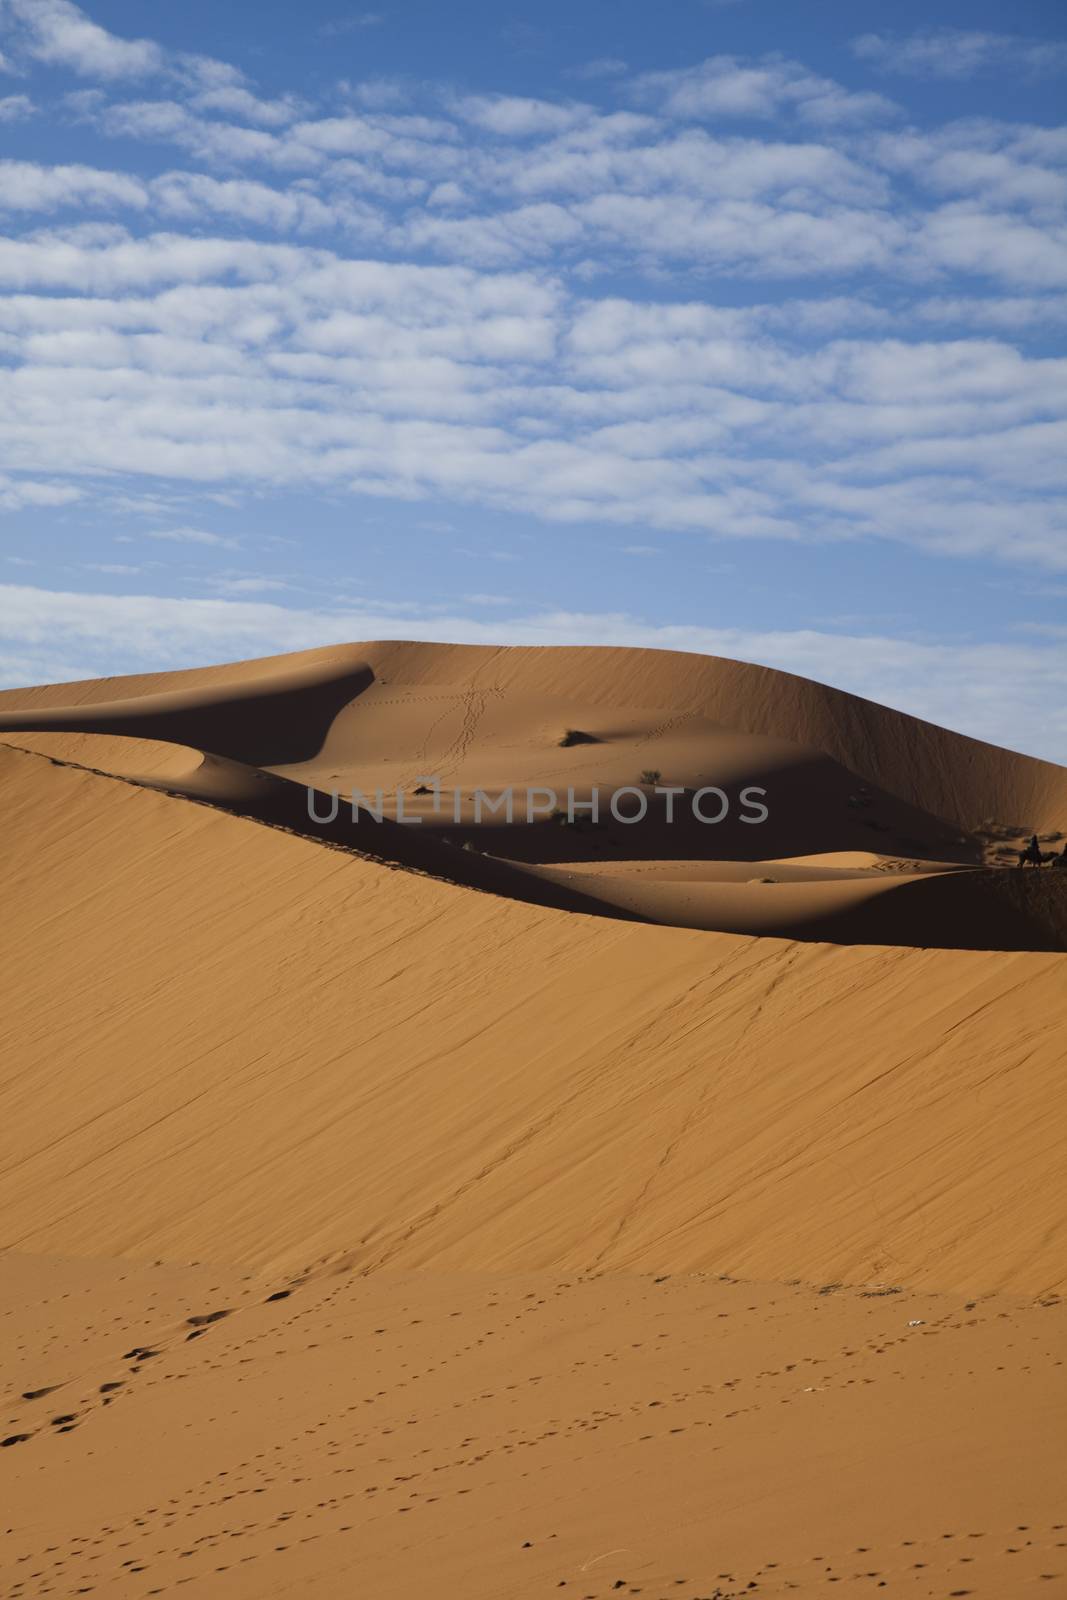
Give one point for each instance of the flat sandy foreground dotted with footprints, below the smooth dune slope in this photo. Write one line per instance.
(511, 1436)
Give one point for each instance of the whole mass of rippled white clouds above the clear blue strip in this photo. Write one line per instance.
(207, 342)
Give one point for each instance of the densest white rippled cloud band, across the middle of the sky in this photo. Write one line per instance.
(500, 390)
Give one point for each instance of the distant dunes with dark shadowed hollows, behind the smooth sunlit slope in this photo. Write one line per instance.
(837, 775)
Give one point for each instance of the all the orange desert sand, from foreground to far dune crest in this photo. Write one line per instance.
(634, 1210)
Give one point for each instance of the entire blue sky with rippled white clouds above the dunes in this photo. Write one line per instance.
(730, 327)
